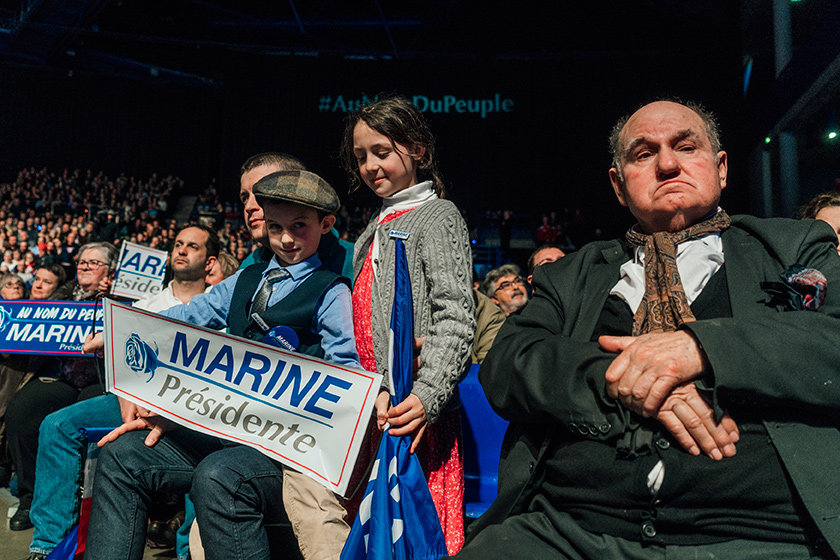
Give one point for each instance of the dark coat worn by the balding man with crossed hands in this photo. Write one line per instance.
(544, 372)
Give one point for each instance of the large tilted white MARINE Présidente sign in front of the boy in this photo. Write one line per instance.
(306, 413)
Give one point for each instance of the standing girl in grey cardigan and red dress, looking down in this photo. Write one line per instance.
(388, 146)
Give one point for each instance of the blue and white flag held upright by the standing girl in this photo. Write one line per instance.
(397, 519)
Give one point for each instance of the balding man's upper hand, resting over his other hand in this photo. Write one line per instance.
(648, 367)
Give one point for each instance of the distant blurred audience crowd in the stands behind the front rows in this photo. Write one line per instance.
(46, 216)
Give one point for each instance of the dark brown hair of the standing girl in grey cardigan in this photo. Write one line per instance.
(402, 122)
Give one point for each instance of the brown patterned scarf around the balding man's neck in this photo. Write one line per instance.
(664, 306)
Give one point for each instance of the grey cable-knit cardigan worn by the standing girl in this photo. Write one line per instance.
(440, 265)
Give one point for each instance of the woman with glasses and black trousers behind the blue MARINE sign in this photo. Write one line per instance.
(58, 384)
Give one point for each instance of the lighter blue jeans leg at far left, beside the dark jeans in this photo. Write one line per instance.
(55, 504)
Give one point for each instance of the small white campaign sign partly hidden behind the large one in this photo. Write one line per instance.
(140, 272)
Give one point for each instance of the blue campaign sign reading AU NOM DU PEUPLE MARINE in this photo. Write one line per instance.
(57, 328)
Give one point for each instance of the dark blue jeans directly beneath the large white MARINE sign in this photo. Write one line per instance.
(235, 491)
